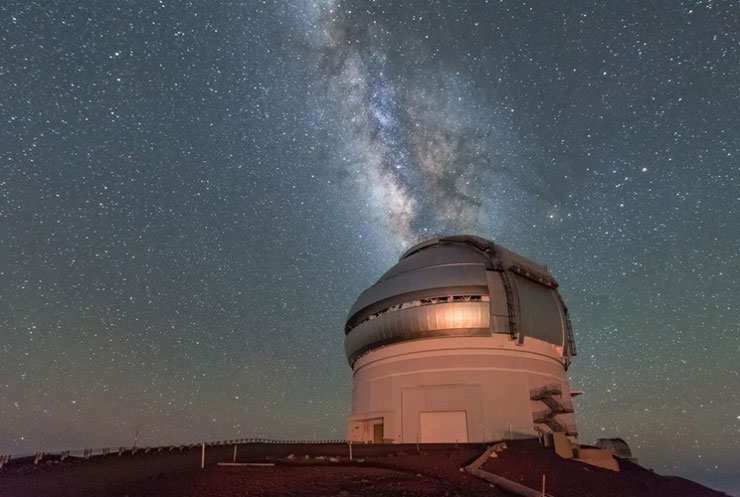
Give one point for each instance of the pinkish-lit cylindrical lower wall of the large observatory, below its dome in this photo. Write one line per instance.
(488, 377)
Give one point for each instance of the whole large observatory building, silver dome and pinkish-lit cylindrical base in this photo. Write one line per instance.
(461, 341)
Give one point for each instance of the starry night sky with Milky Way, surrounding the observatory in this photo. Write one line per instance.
(192, 194)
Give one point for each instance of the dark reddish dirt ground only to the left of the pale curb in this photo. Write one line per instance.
(389, 473)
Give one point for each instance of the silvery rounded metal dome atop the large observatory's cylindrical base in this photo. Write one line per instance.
(459, 286)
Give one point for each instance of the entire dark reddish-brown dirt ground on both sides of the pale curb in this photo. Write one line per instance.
(307, 470)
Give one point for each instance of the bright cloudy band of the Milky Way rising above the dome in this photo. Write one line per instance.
(417, 156)
